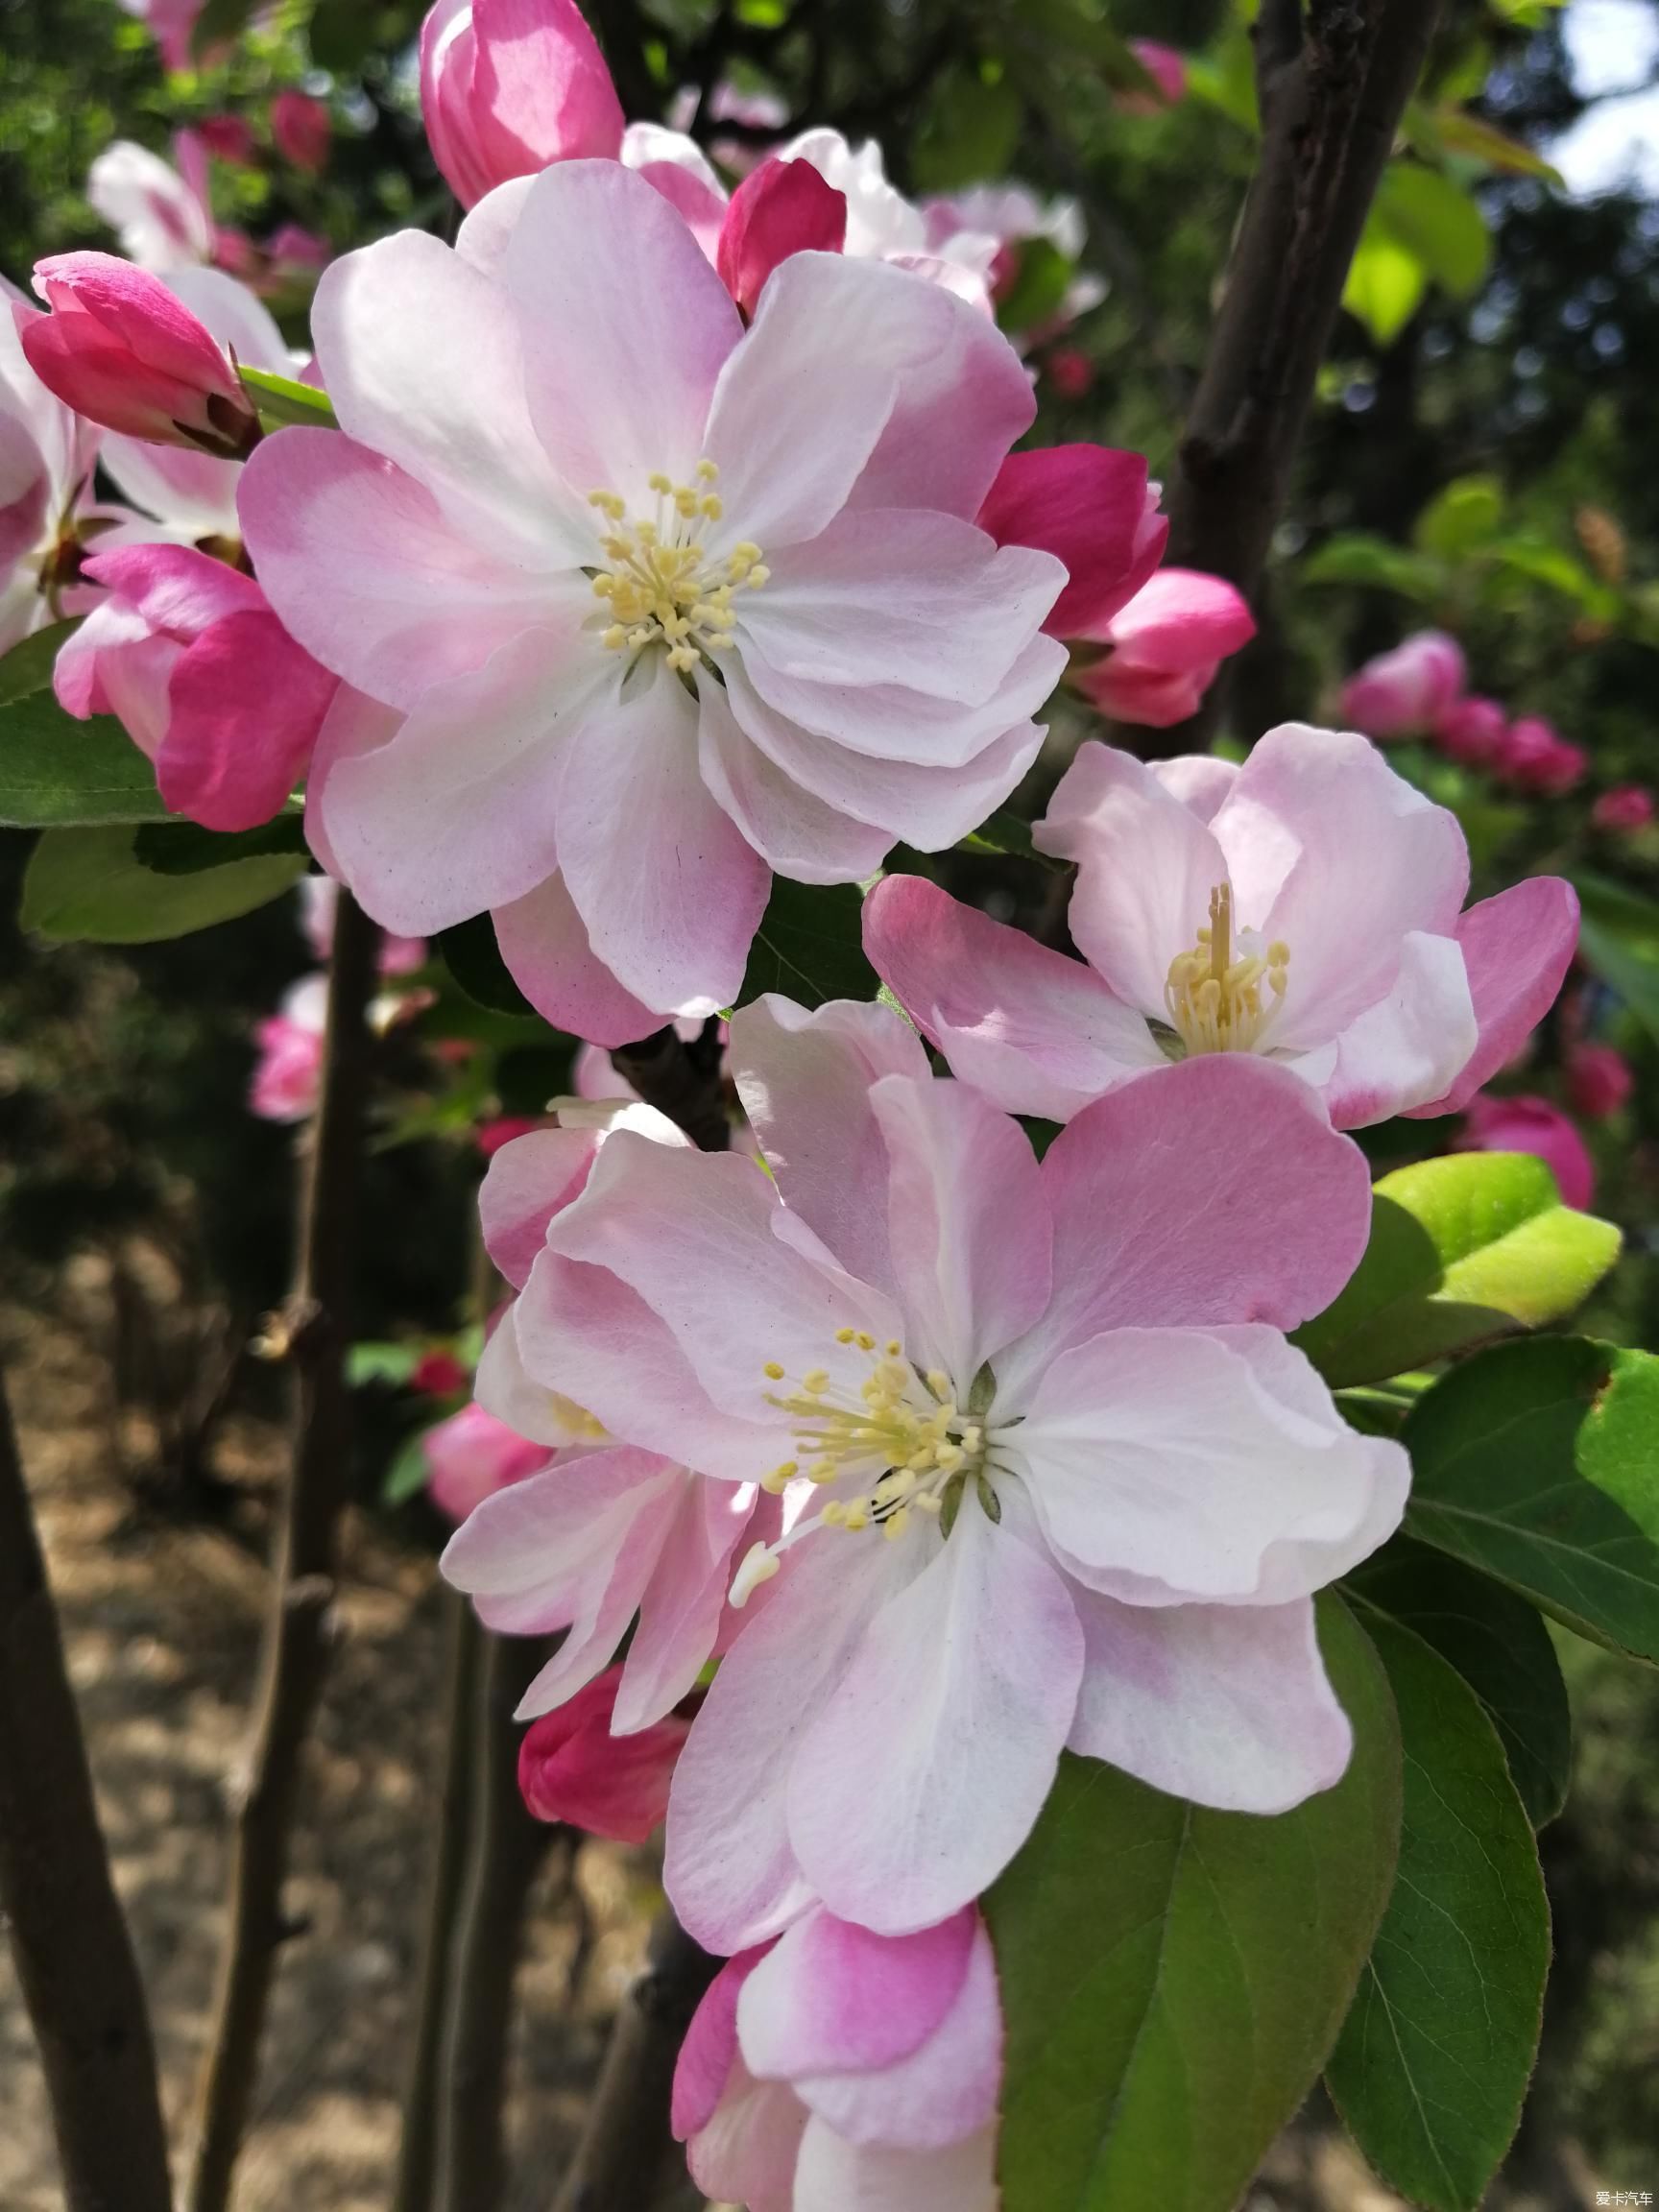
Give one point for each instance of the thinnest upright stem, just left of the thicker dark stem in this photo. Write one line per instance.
(417, 2151)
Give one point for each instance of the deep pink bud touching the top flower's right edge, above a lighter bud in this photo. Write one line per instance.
(1094, 510)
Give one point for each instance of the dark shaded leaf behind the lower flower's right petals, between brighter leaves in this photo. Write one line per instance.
(1499, 1645)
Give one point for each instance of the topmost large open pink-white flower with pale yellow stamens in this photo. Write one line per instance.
(846, 660)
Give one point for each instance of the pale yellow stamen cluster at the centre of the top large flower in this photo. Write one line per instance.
(660, 578)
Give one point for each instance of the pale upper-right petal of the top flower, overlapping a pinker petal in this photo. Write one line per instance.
(797, 413)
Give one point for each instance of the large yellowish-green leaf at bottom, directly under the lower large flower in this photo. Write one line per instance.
(1173, 1979)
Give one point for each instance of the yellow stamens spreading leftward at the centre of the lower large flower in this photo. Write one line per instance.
(901, 1441)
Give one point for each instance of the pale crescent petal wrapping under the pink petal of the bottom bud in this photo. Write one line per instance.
(943, 2094)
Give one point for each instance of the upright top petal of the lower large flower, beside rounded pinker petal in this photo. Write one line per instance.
(968, 1222)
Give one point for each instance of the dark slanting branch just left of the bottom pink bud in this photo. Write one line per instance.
(627, 2149)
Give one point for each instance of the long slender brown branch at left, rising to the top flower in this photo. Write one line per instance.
(315, 1333)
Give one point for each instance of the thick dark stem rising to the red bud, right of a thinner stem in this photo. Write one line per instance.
(503, 1853)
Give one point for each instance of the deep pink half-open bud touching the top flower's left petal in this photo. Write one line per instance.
(205, 680)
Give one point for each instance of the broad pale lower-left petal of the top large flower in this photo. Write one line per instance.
(459, 811)
